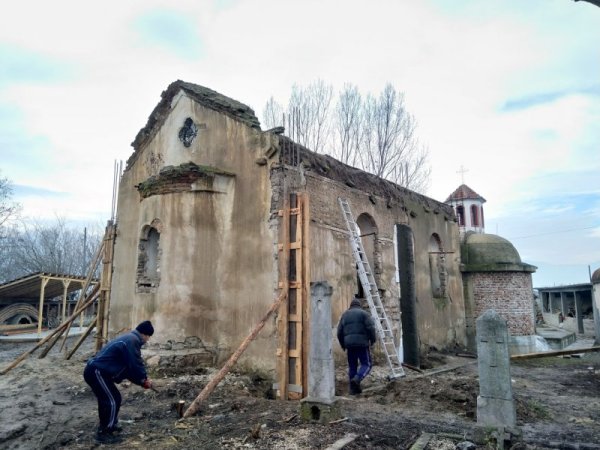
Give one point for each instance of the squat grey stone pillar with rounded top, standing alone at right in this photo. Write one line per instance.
(495, 405)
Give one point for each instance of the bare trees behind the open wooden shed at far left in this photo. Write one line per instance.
(38, 247)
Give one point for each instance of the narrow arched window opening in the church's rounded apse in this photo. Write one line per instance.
(148, 270)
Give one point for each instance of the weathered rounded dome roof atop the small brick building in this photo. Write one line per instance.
(489, 252)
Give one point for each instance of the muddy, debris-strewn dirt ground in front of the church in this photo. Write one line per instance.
(45, 404)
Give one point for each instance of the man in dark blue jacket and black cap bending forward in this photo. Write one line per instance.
(120, 359)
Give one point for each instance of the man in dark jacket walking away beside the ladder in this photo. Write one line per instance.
(356, 331)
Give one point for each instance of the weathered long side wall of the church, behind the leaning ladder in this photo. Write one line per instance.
(440, 322)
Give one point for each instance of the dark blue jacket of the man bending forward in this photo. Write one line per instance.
(122, 358)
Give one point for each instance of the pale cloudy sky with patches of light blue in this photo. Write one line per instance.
(508, 90)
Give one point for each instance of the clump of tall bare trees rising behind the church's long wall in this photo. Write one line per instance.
(376, 134)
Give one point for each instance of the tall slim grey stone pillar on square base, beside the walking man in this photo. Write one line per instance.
(320, 405)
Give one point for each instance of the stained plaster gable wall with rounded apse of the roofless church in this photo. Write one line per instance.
(216, 248)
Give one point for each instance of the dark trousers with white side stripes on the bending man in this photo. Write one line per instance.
(109, 397)
